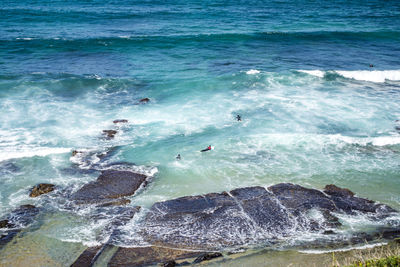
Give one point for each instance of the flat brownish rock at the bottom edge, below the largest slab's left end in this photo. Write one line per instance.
(144, 256)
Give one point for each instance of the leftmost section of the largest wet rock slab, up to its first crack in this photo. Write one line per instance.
(206, 222)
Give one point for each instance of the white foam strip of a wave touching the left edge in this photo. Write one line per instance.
(27, 152)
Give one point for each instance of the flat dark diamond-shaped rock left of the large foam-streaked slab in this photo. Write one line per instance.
(110, 184)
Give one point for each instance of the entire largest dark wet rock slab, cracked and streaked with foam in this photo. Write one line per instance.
(252, 215)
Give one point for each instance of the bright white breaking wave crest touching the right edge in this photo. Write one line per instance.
(378, 76)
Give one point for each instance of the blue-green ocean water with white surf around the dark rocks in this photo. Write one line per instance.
(298, 72)
